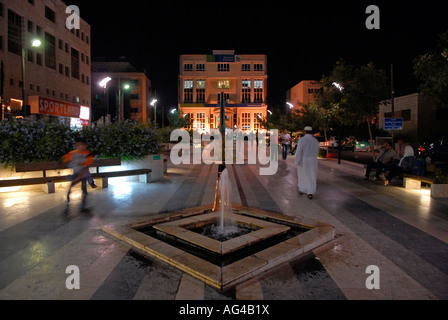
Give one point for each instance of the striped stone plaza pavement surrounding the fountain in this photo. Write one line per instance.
(402, 232)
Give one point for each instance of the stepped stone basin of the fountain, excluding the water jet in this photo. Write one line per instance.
(238, 270)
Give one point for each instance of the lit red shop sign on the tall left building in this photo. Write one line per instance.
(52, 107)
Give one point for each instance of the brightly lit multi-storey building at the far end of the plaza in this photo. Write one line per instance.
(243, 80)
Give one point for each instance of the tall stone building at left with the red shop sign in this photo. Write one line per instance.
(57, 73)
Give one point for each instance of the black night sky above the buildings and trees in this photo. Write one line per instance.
(302, 39)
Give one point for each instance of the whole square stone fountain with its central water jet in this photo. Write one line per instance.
(224, 245)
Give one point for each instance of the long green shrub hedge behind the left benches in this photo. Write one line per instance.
(43, 140)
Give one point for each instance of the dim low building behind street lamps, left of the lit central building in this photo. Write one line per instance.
(126, 96)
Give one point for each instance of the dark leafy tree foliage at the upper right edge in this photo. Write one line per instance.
(432, 70)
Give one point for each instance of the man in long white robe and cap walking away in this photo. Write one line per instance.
(306, 161)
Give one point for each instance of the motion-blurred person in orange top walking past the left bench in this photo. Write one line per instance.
(79, 160)
